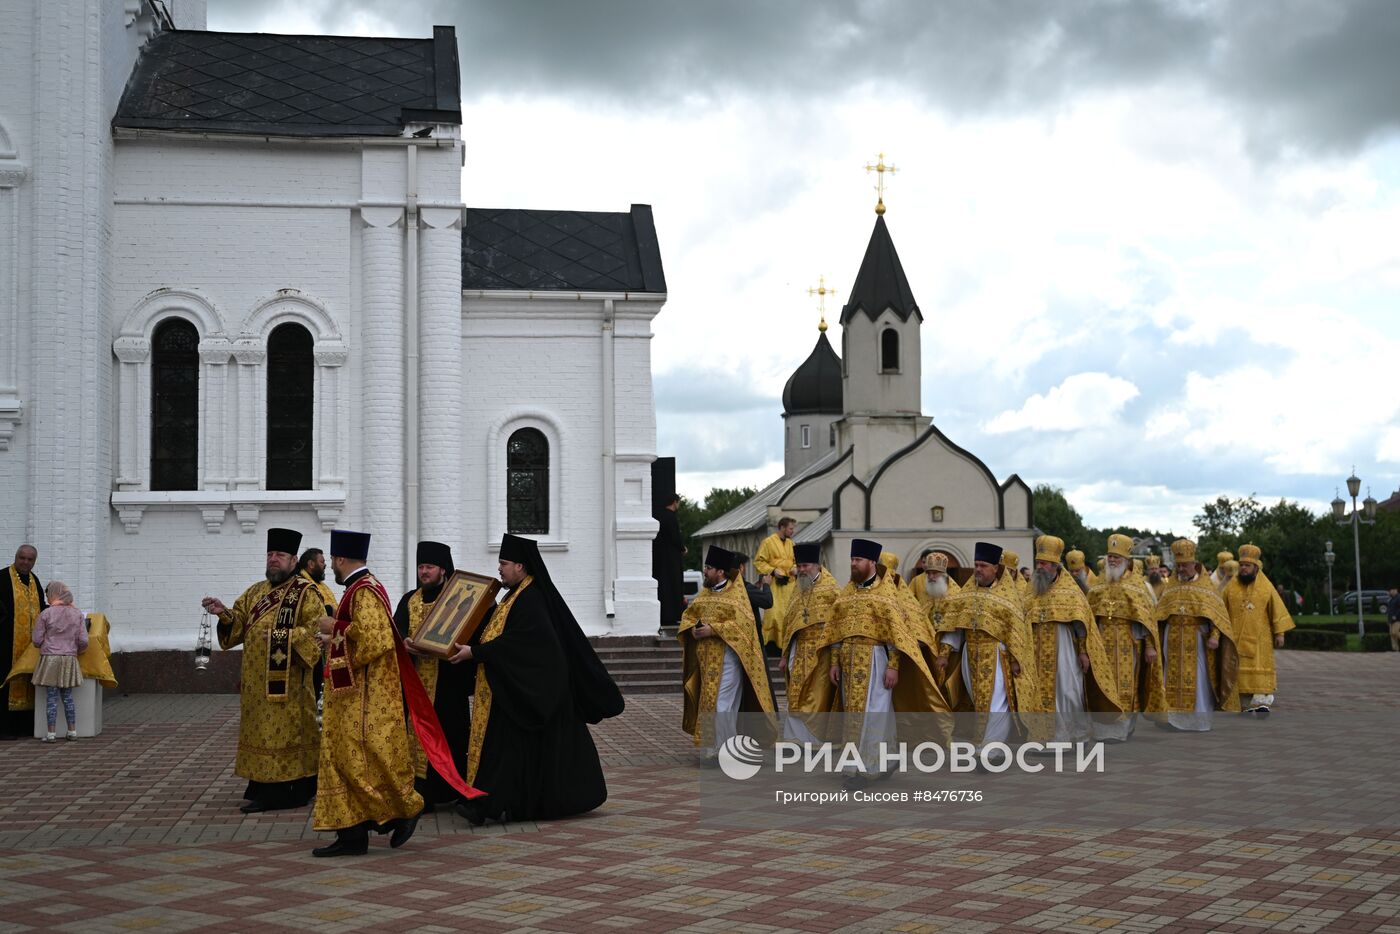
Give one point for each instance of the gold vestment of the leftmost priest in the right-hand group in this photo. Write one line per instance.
(731, 617)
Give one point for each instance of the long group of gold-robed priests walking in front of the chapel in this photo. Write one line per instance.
(1066, 657)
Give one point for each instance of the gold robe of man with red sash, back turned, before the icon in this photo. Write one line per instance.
(366, 772)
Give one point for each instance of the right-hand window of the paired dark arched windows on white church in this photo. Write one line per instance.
(292, 379)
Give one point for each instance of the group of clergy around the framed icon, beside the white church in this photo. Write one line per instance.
(496, 730)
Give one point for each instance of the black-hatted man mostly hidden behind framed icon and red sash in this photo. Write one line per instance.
(450, 685)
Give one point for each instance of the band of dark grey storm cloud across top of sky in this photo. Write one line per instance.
(1298, 74)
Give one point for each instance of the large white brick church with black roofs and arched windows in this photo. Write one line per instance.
(240, 289)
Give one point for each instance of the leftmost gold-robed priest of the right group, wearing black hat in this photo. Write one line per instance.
(723, 667)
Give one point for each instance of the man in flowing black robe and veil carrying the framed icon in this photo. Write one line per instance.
(538, 687)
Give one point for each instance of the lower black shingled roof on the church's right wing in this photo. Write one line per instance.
(562, 251)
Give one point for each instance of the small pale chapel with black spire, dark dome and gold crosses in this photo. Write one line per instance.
(860, 457)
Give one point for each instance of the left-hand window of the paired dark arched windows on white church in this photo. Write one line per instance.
(176, 407)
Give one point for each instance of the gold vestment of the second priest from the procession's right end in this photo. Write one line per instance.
(1186, 607)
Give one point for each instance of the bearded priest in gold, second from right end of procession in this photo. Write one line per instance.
(1199, 660)
